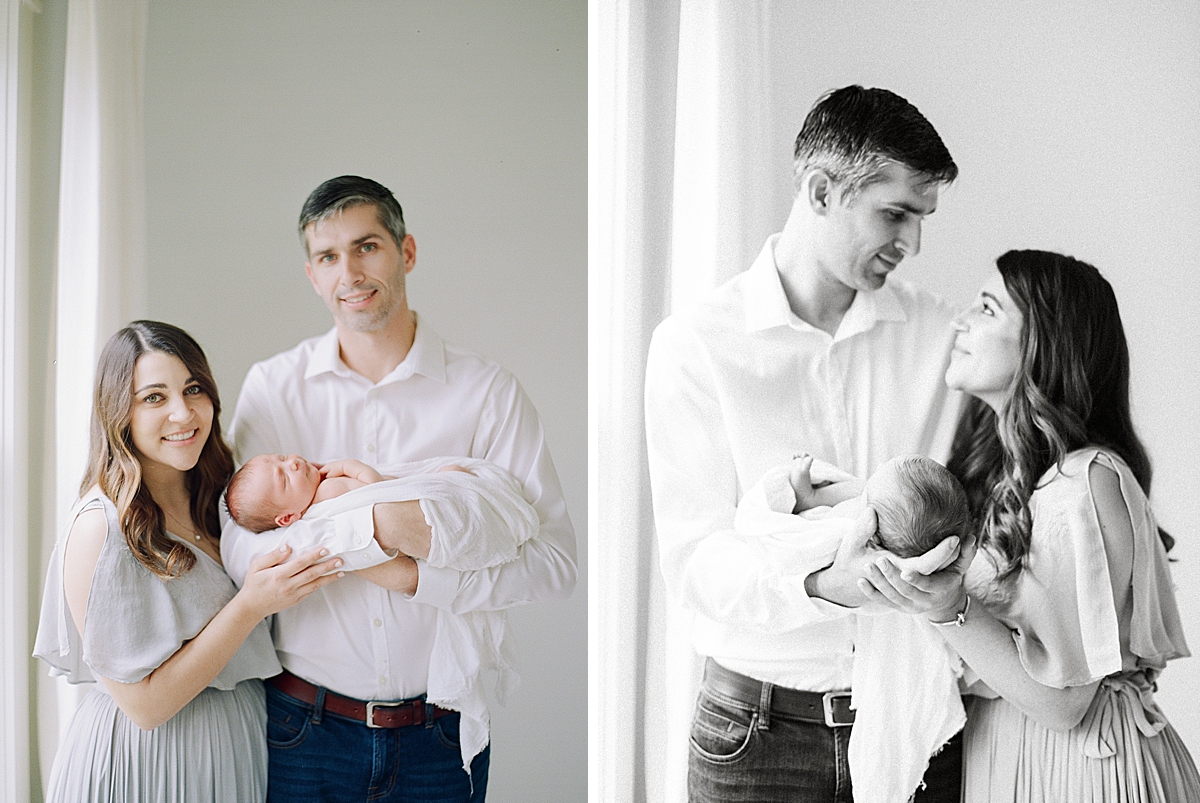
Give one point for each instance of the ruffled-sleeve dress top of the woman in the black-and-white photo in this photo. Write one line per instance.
(1065, 621)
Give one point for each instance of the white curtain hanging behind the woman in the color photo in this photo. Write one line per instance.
(101, 250)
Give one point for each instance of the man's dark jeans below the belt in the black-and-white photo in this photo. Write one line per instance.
(735, 759)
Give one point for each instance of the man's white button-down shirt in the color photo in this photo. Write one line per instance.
(352, 637)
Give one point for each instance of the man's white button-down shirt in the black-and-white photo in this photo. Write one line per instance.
(739, 385)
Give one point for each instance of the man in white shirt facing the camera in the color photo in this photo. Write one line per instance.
(350, 718)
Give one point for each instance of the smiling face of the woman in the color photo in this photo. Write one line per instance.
(172, 416)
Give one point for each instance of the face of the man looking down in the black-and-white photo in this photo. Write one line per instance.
(865, 239)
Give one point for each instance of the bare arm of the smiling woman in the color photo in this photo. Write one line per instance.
(272, 585)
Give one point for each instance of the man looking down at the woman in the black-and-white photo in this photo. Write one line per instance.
(813, 350)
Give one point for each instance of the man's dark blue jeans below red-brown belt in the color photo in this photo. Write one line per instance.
(319, 757)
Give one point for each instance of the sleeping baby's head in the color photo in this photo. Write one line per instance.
(272, 492)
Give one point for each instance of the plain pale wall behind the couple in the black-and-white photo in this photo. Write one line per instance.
(1075, 128)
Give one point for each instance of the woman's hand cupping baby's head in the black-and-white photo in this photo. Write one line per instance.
(921, 585)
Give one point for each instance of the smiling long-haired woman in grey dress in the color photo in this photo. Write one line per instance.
(137, 597)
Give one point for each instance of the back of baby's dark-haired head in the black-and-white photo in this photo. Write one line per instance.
(919, 504)
